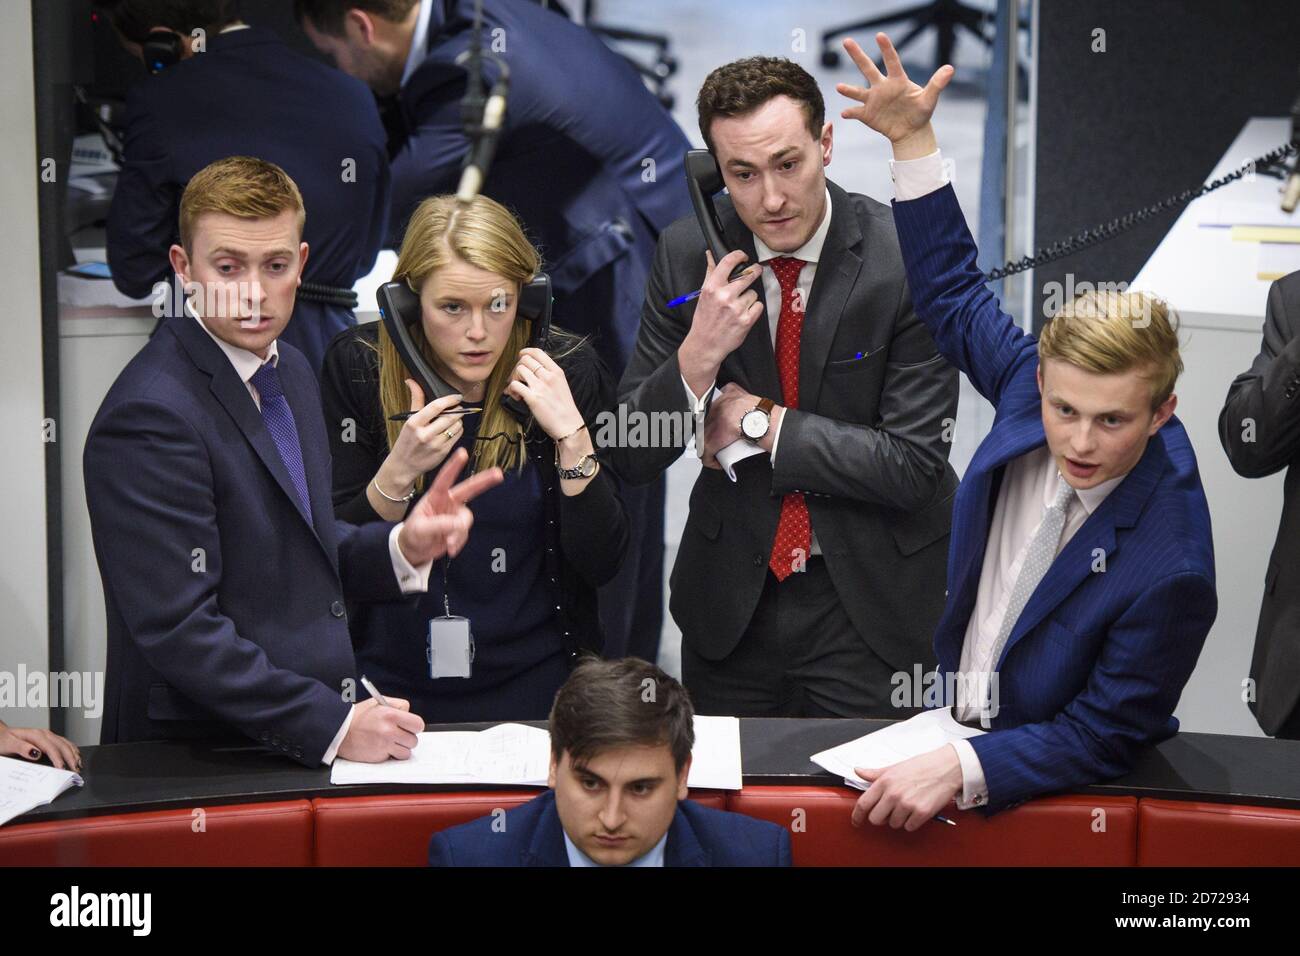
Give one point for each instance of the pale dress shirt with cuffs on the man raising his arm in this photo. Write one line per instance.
(1029, 486)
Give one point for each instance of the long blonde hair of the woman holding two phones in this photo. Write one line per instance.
(487, 236)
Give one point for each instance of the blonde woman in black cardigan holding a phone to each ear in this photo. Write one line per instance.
(543, 543)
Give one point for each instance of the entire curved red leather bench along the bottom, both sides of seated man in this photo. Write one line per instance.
(393, 830)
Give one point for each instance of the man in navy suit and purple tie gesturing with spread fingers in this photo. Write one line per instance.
(209, 485)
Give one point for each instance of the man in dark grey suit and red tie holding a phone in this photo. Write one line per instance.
(808, 582)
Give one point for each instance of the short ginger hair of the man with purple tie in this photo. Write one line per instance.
(242, 187)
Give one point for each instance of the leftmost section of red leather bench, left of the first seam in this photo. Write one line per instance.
(278, 834)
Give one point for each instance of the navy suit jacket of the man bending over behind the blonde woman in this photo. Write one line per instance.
(588, 159)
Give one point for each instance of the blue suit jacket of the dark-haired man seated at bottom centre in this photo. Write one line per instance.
(534, 837)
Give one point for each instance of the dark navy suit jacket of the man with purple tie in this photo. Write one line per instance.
(226, 605)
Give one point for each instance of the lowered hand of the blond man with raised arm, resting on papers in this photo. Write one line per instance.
(911, 793)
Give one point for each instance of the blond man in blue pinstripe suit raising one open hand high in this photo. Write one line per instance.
(1082, 565)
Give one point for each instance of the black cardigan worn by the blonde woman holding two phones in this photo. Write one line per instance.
(588, 533)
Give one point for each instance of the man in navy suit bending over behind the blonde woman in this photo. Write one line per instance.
(588, 161)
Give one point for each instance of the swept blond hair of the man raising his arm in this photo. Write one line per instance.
(1108, 331)
